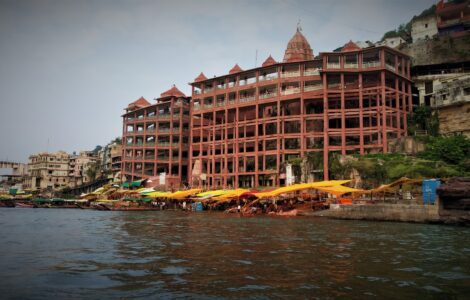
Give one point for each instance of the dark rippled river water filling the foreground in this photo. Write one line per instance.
(77, 254)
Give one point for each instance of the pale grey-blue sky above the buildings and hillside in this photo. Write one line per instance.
(68, 68)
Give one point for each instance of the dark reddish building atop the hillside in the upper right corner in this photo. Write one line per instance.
(453, 18)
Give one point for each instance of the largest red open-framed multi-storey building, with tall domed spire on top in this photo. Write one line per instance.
(248, 123)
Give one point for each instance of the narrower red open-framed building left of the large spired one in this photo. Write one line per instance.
(155, 139)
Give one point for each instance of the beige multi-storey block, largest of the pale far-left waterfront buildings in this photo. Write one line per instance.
(48, 171)
